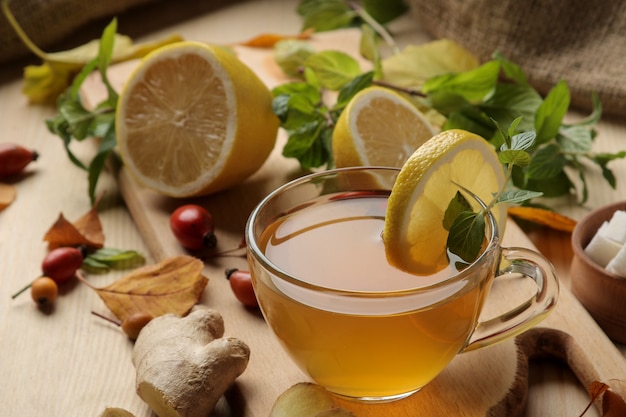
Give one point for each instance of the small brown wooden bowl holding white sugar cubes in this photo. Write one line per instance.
(602, 293)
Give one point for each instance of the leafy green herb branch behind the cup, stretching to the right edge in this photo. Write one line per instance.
(448, 84)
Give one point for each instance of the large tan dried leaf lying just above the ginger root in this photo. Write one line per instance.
(172, 286)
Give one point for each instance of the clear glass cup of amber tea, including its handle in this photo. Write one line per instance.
(356, 325)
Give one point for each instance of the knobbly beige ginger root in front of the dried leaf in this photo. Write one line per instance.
(184, 365)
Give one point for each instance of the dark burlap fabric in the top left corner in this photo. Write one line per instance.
(49, 21)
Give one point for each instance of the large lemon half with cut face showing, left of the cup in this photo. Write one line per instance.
(192, 119)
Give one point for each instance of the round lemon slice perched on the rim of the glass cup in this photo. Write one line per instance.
(414, 236)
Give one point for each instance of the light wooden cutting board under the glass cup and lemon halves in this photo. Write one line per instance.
(492, 381)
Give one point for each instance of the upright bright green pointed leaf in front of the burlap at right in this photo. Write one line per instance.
(551, 112)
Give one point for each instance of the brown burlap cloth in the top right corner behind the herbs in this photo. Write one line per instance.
(581, 41)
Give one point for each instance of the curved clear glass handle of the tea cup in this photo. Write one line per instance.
(522, 317)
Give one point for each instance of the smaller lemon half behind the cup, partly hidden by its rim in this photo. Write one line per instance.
(378, 127)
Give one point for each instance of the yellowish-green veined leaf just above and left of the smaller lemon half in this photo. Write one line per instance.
(334, 69)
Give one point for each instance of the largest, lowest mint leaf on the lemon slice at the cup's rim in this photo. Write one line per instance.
(467, 235)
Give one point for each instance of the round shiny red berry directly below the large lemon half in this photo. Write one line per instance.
(193, 227)
